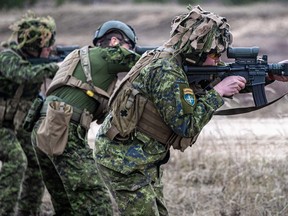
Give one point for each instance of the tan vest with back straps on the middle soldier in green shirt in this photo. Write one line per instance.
(64, 77)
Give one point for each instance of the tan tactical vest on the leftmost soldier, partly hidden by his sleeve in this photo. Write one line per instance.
(14, 109)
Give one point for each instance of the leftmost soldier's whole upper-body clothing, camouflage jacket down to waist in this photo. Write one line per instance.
(16, 73)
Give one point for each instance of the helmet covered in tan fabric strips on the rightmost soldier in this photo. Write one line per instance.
(199, 32)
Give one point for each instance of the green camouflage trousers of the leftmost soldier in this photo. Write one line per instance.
(20, 176)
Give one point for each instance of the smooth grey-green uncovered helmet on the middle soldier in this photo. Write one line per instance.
(115, 25)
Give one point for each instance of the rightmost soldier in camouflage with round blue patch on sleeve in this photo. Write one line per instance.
(154, 108)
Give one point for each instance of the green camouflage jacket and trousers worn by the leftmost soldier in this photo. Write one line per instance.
(15, 71)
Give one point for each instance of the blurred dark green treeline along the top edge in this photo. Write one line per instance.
(10, 4)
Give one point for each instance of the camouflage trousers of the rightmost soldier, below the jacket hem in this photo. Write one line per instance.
(134, 193)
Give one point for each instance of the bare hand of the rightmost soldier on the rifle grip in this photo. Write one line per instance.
(230, 85)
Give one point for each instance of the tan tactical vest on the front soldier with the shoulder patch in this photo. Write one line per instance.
(132, 111)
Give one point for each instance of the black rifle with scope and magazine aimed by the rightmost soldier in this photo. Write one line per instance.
(247, 64)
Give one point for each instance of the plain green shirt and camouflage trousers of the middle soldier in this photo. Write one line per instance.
(84, 191)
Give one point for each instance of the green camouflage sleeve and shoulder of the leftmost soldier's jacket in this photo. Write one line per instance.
(15, 69)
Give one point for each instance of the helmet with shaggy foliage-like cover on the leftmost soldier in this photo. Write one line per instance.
(34, 33)
